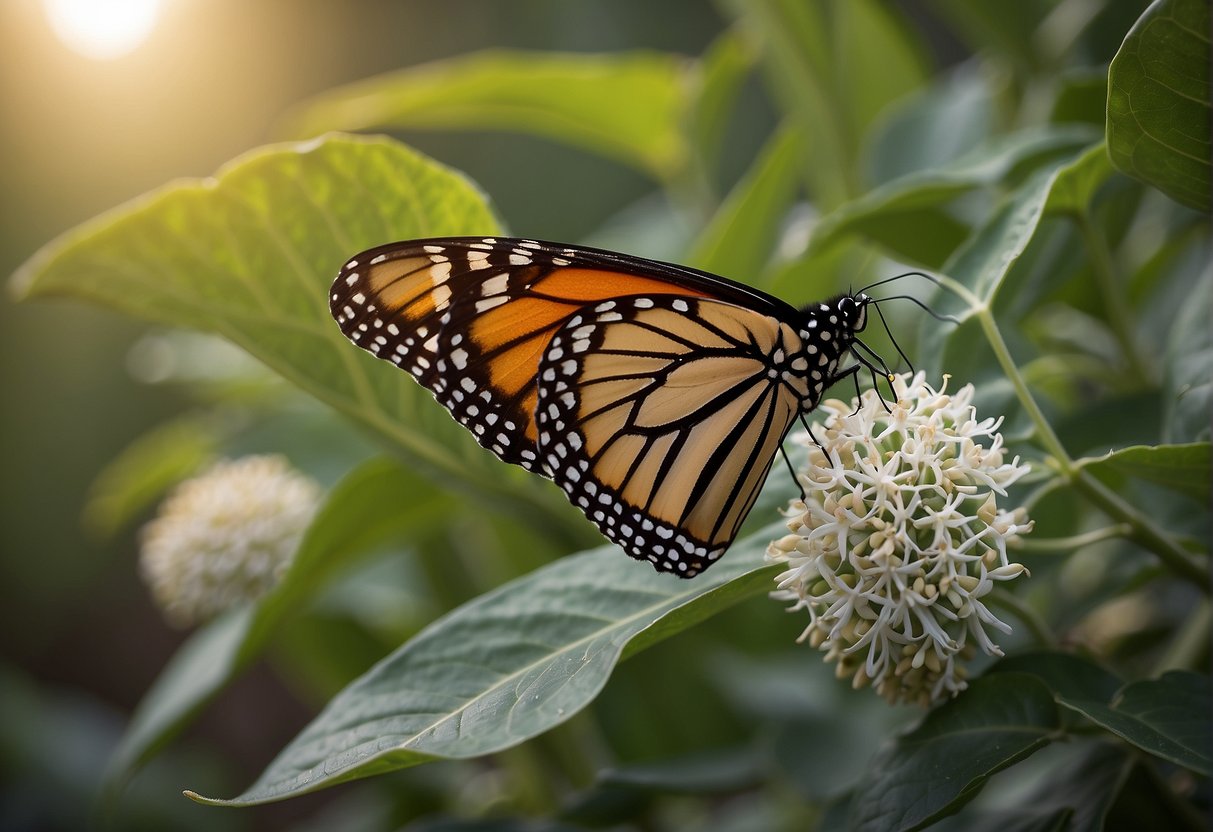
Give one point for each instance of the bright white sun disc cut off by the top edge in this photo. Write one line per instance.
(102, 30)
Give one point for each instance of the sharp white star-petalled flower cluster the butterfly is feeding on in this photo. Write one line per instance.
(901, 537)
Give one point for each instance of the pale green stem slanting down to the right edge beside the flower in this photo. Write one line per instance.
(1144, 532)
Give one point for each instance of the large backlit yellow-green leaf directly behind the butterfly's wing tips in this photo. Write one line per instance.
(250, 255)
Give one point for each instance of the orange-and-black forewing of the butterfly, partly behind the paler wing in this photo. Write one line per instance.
(471, 318)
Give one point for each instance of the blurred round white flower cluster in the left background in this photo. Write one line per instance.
(226, 537)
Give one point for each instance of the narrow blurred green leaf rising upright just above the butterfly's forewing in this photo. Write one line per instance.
(742, 237)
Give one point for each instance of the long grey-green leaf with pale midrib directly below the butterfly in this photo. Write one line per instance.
(505, 668)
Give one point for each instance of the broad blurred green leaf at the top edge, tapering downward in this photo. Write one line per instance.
(804, 45)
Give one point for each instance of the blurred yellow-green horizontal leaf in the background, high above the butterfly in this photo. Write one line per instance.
(628, 106)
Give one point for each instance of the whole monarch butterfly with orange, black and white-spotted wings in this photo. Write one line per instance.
(656, 396)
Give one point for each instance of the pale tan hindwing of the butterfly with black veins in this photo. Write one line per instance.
(660, 418)
